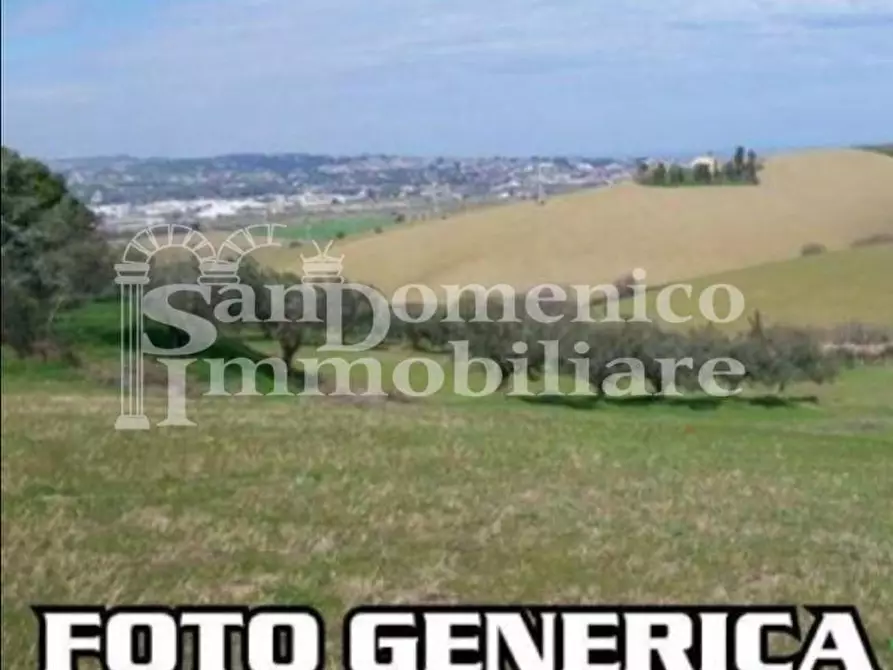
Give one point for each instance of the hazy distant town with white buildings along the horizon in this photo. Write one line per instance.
(131, 192)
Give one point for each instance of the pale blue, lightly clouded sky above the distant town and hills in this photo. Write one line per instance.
(443, 77)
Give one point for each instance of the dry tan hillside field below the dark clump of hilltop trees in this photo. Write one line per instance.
(827, 197)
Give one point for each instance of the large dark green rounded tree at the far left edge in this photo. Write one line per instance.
(53, 254)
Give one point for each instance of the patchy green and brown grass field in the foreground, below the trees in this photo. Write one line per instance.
(441, 500)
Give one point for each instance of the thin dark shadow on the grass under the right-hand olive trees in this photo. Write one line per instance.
(697, 403)
